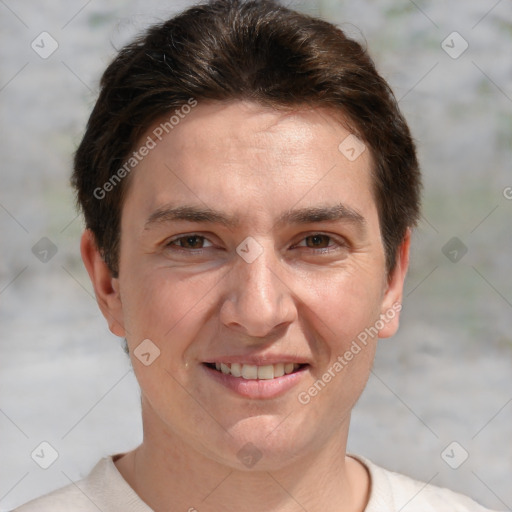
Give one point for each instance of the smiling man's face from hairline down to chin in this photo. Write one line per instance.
(249, 240)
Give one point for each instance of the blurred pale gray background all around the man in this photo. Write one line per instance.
(445, 378)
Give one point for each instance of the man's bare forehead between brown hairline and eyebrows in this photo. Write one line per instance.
(241, 156)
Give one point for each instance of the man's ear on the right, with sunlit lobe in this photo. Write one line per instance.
(392, 300)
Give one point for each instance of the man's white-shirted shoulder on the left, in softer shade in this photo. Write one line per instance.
(103, 489)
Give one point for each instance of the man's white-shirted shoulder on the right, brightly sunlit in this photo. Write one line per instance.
(392, 491)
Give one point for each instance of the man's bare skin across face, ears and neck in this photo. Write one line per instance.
(314, 287)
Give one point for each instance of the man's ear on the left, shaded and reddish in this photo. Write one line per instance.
(106, 287)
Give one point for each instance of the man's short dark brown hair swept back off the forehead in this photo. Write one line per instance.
(253, 50)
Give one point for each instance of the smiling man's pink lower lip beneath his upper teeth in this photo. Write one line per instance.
(256, 388)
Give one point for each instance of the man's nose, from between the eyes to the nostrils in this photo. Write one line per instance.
(258, 302)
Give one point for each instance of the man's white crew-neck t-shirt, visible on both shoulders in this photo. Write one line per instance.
(106, 490)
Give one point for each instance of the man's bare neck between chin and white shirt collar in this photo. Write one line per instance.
(171, 475)
